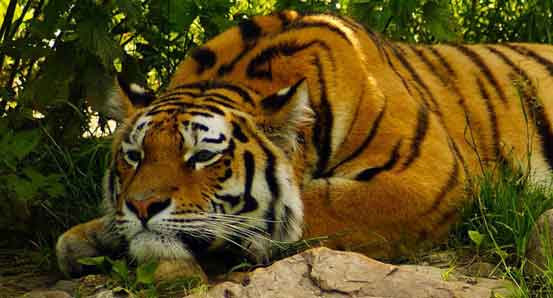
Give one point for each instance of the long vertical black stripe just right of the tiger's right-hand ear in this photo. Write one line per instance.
(323, 124)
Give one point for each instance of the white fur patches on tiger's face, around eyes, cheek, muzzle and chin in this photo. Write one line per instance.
(161, 238)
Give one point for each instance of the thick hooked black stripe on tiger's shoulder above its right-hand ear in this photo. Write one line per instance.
(259, 66)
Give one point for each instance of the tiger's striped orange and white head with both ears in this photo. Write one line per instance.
(204, 167)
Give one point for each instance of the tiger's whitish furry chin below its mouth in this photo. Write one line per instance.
(149, 245)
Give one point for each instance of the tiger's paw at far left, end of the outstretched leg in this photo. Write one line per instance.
(70, 248)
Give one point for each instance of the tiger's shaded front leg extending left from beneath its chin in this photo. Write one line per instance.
(90, 239)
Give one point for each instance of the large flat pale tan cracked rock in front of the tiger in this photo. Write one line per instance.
(322, 272)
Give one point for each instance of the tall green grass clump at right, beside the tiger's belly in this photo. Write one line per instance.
(497, 224)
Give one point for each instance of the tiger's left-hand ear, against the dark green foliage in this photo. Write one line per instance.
(126, 99)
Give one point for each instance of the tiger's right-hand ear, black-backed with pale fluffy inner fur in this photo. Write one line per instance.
(285, 113)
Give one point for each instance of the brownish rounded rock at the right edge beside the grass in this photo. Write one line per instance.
(539, 243)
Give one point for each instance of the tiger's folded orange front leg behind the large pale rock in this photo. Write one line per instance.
(386, 214)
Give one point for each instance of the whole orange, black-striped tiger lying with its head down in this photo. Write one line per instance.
(297, 126)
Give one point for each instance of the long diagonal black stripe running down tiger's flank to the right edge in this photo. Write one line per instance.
(538, 114)
